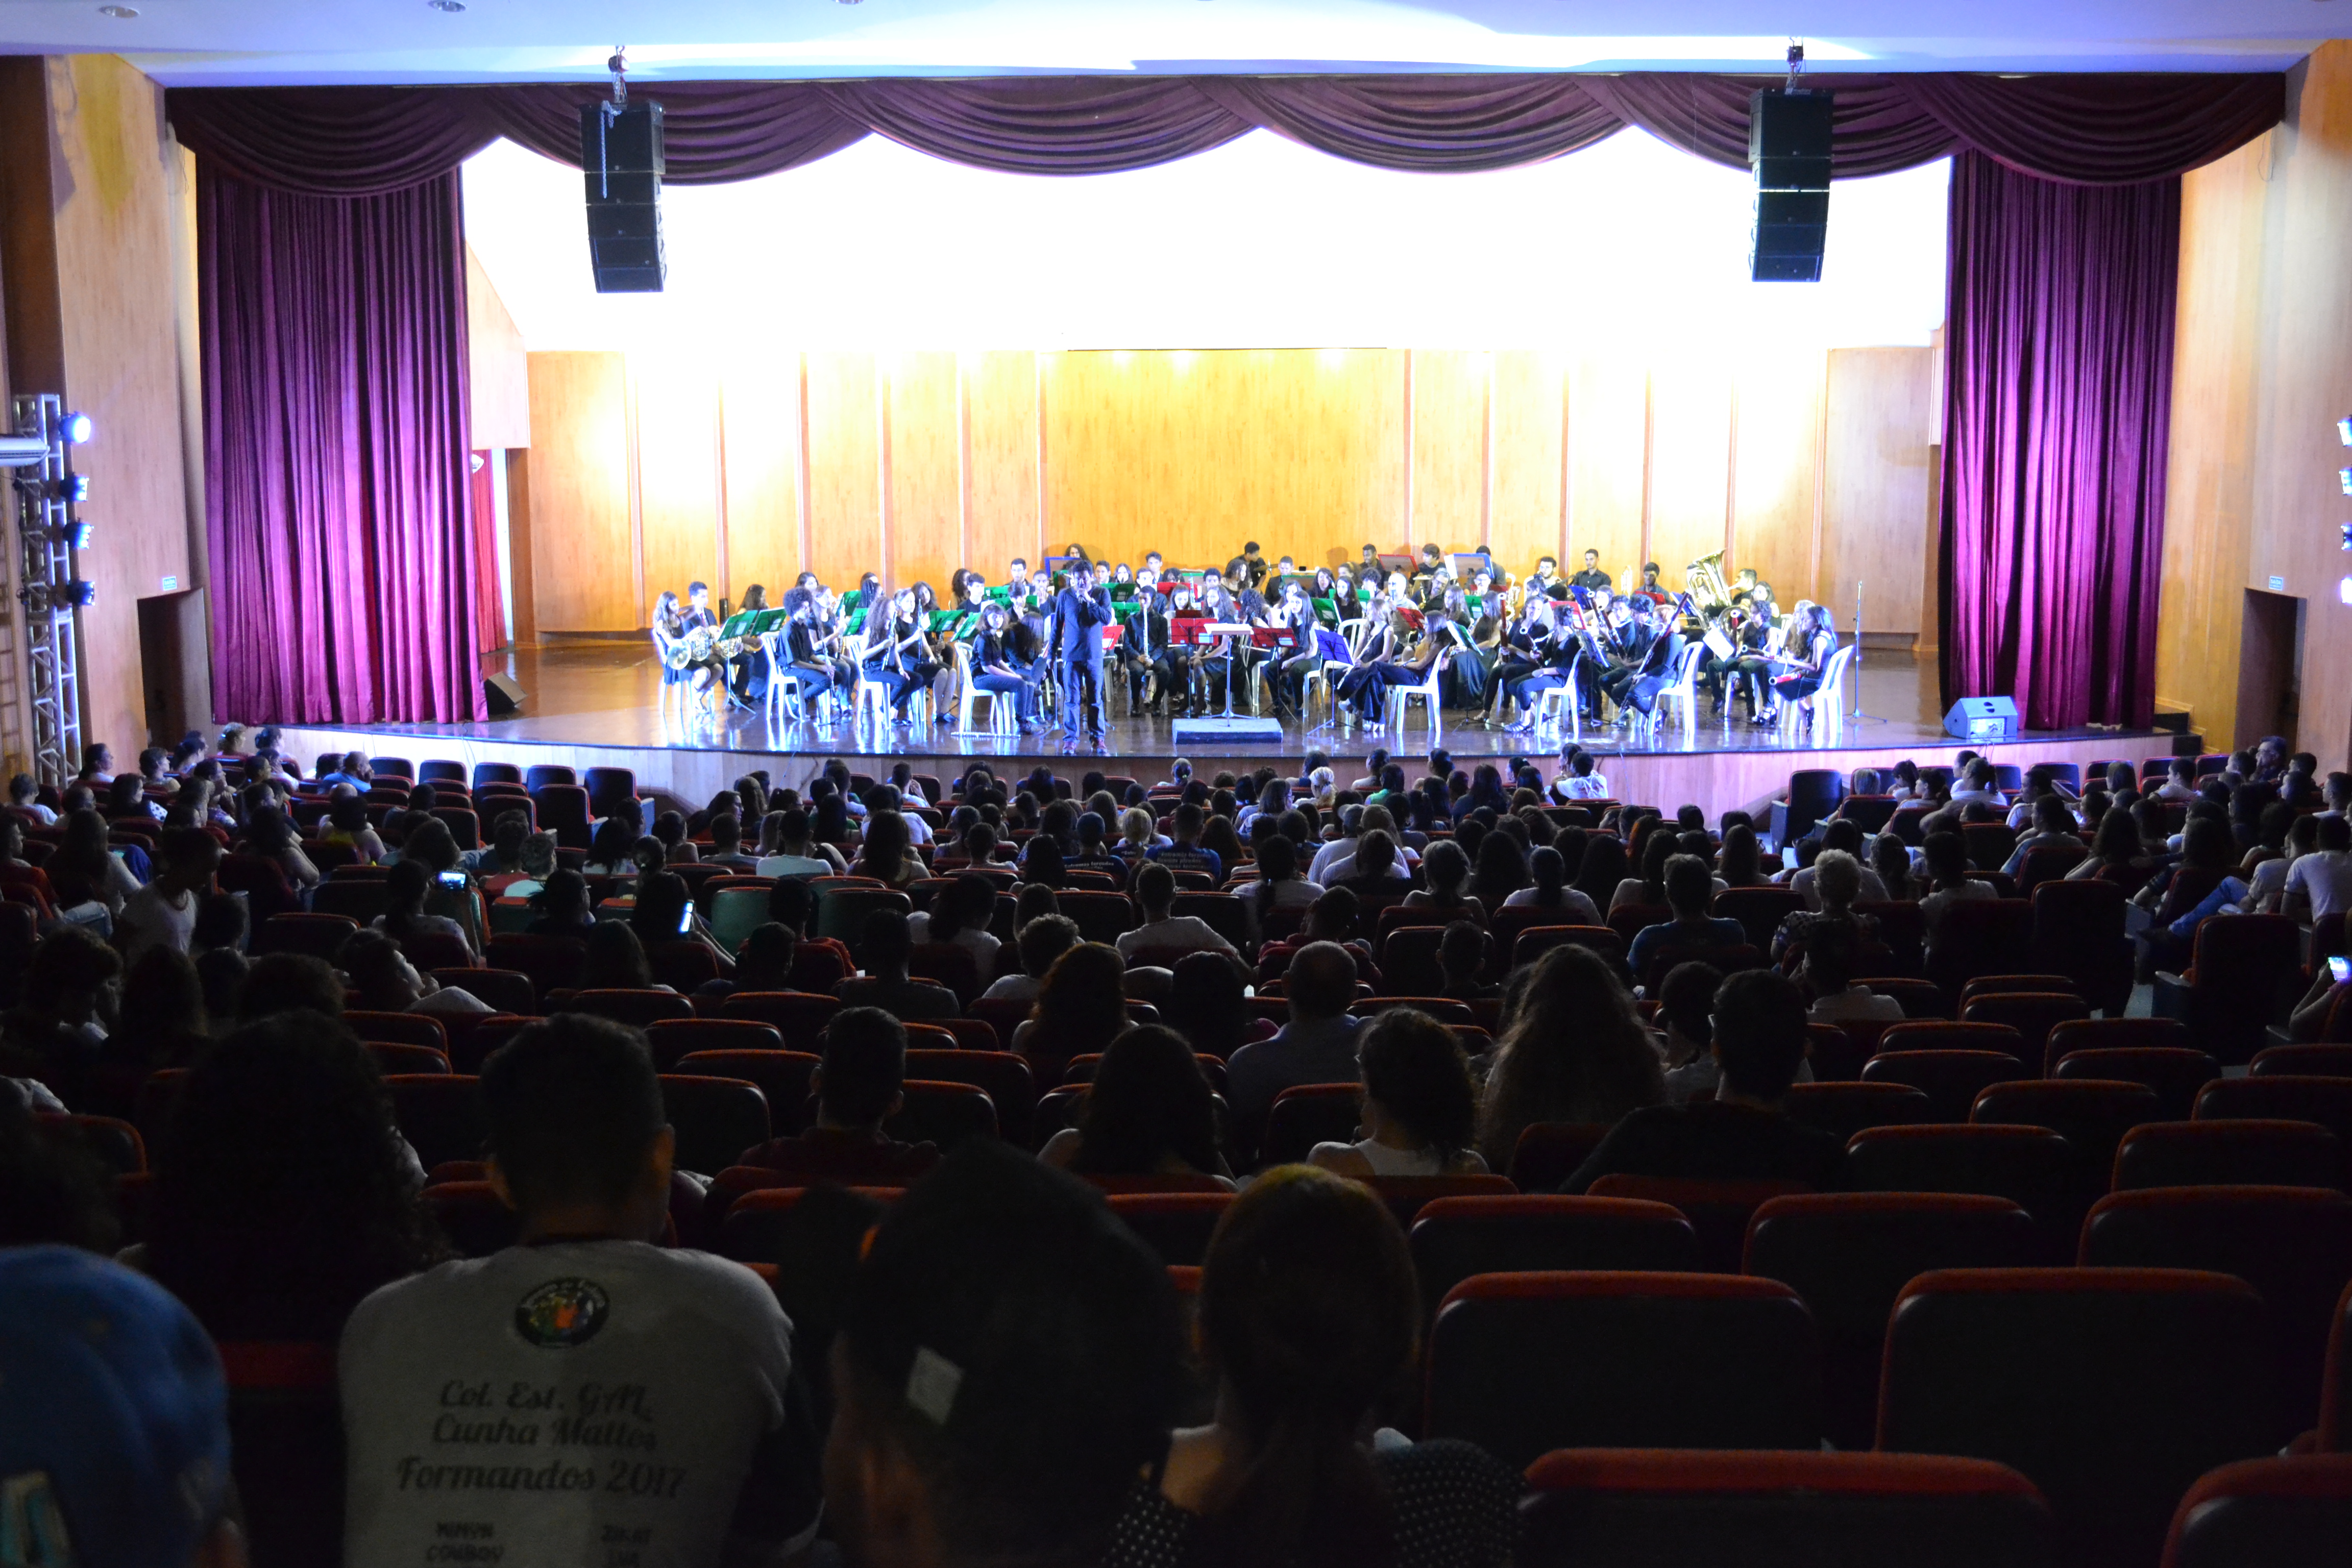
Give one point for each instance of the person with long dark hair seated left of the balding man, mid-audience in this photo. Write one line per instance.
(1149, 1113)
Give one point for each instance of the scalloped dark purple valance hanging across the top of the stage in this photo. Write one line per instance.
(2094, 130)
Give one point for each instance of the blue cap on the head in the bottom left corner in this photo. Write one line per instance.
(114, 1416)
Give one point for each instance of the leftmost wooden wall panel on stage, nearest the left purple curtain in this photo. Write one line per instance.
(582, 549)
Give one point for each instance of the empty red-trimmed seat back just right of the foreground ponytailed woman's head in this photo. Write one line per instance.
(1523, 1365)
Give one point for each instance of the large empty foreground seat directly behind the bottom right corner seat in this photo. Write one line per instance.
(2111, 1391)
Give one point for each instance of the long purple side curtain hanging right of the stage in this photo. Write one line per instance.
(2059, 377)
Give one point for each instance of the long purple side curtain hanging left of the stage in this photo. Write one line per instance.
(335, 453)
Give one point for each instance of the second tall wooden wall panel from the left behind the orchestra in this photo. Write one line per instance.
(679, 478)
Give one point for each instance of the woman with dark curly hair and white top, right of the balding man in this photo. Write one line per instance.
(1419, 1111)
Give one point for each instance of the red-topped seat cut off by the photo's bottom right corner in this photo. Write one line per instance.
(2280, 1513)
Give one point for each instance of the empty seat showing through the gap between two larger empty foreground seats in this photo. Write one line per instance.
(1850, 1254)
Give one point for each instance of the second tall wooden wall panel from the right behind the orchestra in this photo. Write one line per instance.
(1779, 445)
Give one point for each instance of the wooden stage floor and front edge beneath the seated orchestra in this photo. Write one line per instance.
(596, 704)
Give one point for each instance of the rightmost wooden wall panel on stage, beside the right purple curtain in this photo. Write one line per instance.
(1873, 518)
